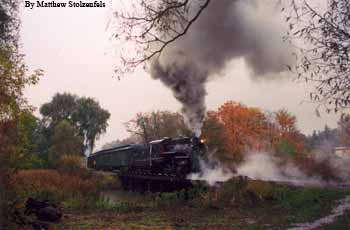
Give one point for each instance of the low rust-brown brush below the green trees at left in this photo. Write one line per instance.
(28, 182)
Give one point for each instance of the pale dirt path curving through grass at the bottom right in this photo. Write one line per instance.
(339, 210)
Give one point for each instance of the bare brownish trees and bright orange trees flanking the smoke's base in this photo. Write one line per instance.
(230, 131)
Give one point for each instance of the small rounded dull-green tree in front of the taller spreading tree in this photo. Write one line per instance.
(65, 141)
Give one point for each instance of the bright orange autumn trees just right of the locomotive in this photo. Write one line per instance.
(236, 128)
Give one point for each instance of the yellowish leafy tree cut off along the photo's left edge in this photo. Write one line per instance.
(14, 78)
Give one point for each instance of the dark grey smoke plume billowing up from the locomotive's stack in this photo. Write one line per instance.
(226, 30)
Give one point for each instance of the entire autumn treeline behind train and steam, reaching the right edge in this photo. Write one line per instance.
(235, 130)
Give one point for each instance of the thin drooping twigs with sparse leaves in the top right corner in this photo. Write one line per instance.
(323, 38)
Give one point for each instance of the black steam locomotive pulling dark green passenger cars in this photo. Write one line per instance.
(158, 165)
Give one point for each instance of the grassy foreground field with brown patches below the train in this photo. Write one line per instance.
(271, 207)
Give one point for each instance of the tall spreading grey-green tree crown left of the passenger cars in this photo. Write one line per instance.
(84, 114)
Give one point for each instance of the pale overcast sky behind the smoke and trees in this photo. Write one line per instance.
(78, 56)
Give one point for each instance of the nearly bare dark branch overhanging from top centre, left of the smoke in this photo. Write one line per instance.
(153, 26)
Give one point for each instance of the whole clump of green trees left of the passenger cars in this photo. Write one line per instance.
(69, 127)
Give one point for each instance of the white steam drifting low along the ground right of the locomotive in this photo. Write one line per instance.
(264, 166)
